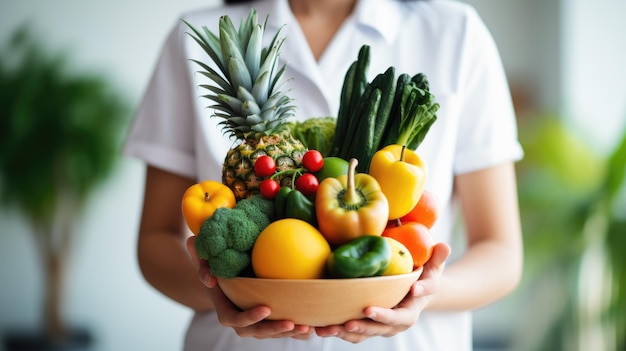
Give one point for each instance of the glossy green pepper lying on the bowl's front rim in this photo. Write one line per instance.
(365, 256)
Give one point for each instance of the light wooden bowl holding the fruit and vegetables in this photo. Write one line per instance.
(318, 302)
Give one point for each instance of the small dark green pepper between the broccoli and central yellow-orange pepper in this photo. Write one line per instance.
(291, 203)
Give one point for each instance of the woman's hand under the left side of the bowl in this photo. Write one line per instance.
(249, 323)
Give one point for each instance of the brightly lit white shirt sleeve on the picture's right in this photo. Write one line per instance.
(487, 127)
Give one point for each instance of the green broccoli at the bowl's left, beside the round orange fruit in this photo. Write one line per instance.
(226, 238)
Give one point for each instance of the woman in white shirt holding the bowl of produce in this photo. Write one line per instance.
(470, 151)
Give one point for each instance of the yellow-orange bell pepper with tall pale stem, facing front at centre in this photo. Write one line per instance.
(350, 206)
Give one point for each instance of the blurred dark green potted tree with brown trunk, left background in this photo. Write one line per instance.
(60, 134)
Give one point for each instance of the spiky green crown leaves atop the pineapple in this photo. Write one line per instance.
(247, 89)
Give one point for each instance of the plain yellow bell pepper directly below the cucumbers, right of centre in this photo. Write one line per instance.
(401, 174)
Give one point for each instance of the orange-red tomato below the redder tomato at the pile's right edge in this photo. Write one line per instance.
(417, 239)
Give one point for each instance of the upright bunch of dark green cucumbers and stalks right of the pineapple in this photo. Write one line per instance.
(386, 111)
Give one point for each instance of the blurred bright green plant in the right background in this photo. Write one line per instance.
(574, 218)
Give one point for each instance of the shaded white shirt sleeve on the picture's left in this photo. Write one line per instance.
(162, 134)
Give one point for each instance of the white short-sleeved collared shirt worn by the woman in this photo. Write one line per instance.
(444, 39)
